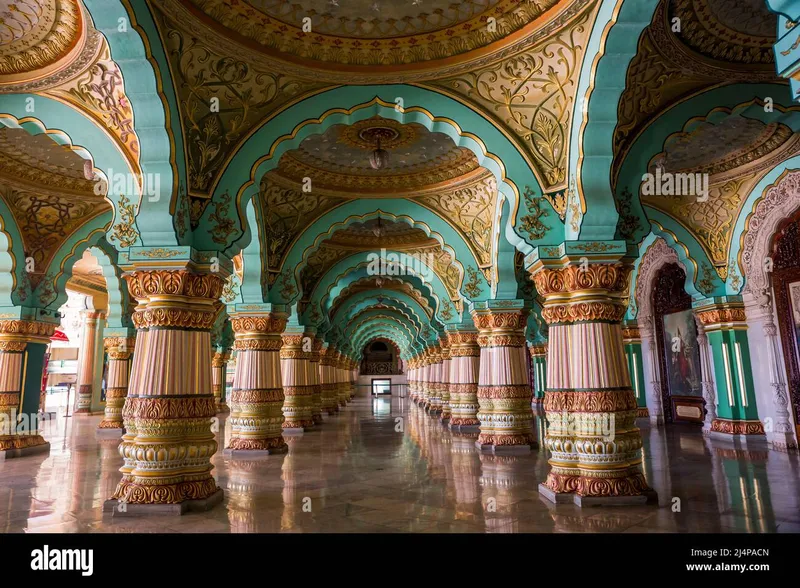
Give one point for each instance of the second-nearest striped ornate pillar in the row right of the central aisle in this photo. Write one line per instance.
(504, 390)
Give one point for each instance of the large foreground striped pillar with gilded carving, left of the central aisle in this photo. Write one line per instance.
(168, 442)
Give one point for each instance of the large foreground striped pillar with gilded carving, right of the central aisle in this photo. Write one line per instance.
(596, 448)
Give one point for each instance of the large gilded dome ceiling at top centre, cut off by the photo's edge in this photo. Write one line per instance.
(363, 33)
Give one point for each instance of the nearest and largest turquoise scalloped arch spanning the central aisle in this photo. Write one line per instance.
(433, 110)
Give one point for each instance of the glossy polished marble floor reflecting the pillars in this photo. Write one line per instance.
(383, 465)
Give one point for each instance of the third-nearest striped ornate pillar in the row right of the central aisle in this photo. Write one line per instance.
(464, 369)
